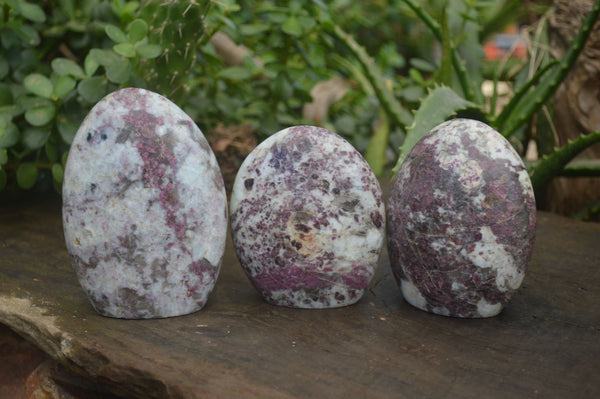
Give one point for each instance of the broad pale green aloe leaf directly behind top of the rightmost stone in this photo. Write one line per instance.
(440, 104)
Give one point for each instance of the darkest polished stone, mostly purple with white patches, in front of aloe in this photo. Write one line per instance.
(461, 221)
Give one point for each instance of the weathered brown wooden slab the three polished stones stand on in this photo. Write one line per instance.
(545, 344)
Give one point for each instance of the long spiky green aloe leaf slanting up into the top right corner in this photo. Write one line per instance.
(534, 99)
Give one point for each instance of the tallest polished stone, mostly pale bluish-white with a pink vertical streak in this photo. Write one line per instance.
(144, 208)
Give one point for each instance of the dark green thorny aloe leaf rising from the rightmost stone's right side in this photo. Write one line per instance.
(552, 164)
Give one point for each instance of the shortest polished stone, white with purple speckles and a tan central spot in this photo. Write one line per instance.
(307, 219)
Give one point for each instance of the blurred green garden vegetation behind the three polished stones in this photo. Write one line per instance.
(370, 71)
